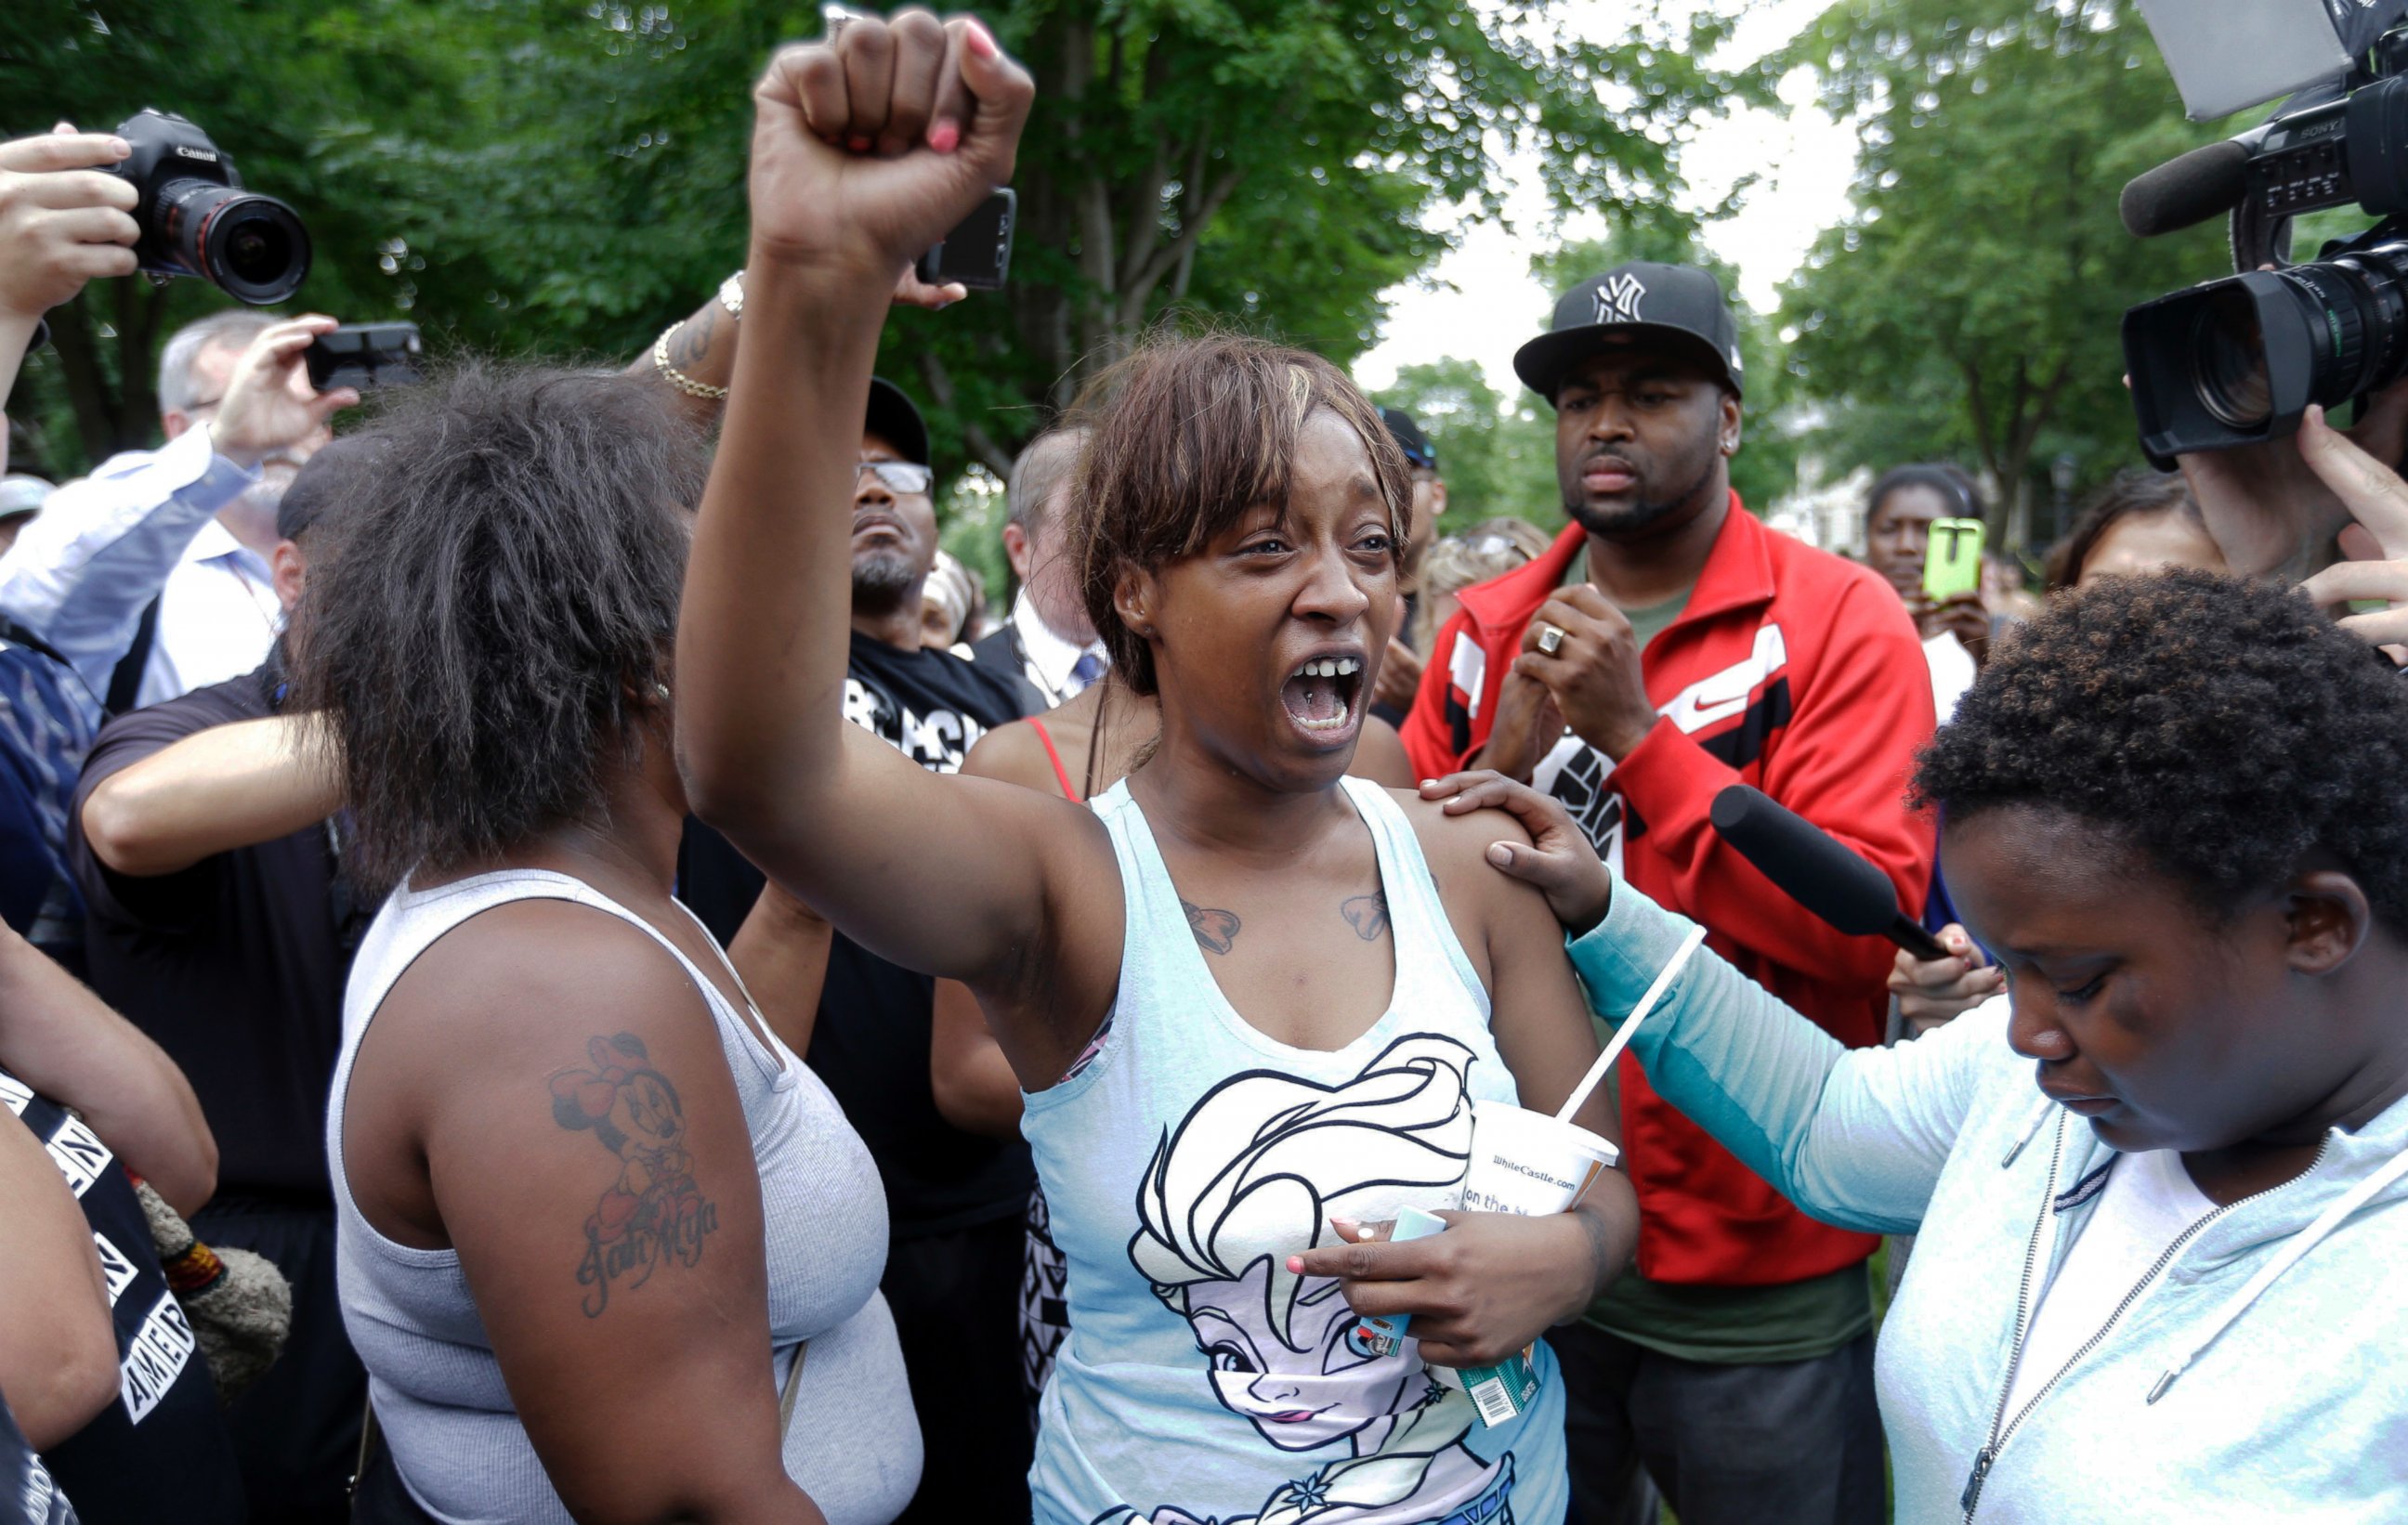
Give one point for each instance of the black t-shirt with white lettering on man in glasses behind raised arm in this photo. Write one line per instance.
(870, 1042)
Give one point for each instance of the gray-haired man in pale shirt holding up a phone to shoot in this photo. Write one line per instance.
(150, 577)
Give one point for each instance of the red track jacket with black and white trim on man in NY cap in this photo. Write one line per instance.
(1793, 671)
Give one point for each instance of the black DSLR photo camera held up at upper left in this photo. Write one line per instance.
(199, 220)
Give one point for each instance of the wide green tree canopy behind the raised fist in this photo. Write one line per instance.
(569, 175)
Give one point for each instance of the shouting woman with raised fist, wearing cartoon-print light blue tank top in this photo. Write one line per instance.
(1251, 1003)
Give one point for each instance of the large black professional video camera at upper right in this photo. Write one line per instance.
(2238, 360)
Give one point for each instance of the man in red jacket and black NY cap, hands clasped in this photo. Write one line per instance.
(1665, 649)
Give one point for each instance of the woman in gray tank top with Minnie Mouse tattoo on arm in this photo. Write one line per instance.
(606, 1247)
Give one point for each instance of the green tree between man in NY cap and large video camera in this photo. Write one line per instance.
(1971, 302)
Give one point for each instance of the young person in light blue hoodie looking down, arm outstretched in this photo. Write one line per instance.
(2166, 1285)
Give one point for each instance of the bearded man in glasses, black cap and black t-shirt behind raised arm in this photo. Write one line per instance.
(955, 1199)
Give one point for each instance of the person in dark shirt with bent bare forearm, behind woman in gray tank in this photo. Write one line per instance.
(208, 849)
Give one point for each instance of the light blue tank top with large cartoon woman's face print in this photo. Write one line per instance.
(1186, 1162)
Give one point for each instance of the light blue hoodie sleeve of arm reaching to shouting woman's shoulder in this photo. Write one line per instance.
(1853, 1136)
